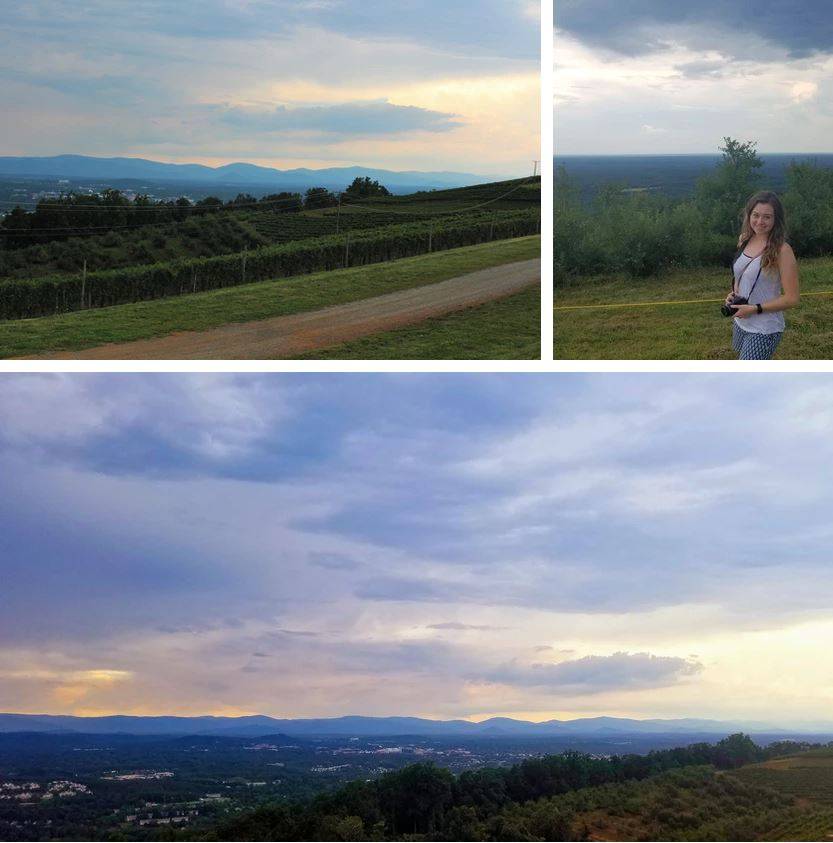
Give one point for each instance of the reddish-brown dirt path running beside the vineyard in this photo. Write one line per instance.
(287, 336)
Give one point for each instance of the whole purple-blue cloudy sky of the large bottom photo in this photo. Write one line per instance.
(440, 545)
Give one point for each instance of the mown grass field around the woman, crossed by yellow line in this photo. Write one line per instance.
(681, 331)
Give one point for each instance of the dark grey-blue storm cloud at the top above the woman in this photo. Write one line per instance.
(800, 27)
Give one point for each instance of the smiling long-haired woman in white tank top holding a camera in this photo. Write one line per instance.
(766, 274)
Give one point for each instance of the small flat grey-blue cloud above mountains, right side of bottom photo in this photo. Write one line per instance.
(596, 674)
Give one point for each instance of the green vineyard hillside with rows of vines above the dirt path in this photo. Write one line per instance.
(238, 245)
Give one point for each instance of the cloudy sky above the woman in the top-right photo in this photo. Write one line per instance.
(650, 76)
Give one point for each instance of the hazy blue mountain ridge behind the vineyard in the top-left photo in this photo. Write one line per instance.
(85, 166)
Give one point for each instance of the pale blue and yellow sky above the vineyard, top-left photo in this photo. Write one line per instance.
(413, 85)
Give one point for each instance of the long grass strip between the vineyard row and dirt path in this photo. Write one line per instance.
(263, 300)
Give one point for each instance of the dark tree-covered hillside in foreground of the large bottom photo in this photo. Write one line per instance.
(690, 793)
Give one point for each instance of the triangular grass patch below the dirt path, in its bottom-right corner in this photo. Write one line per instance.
(508, 329)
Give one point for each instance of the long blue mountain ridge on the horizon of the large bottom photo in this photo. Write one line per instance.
(255, 725)
